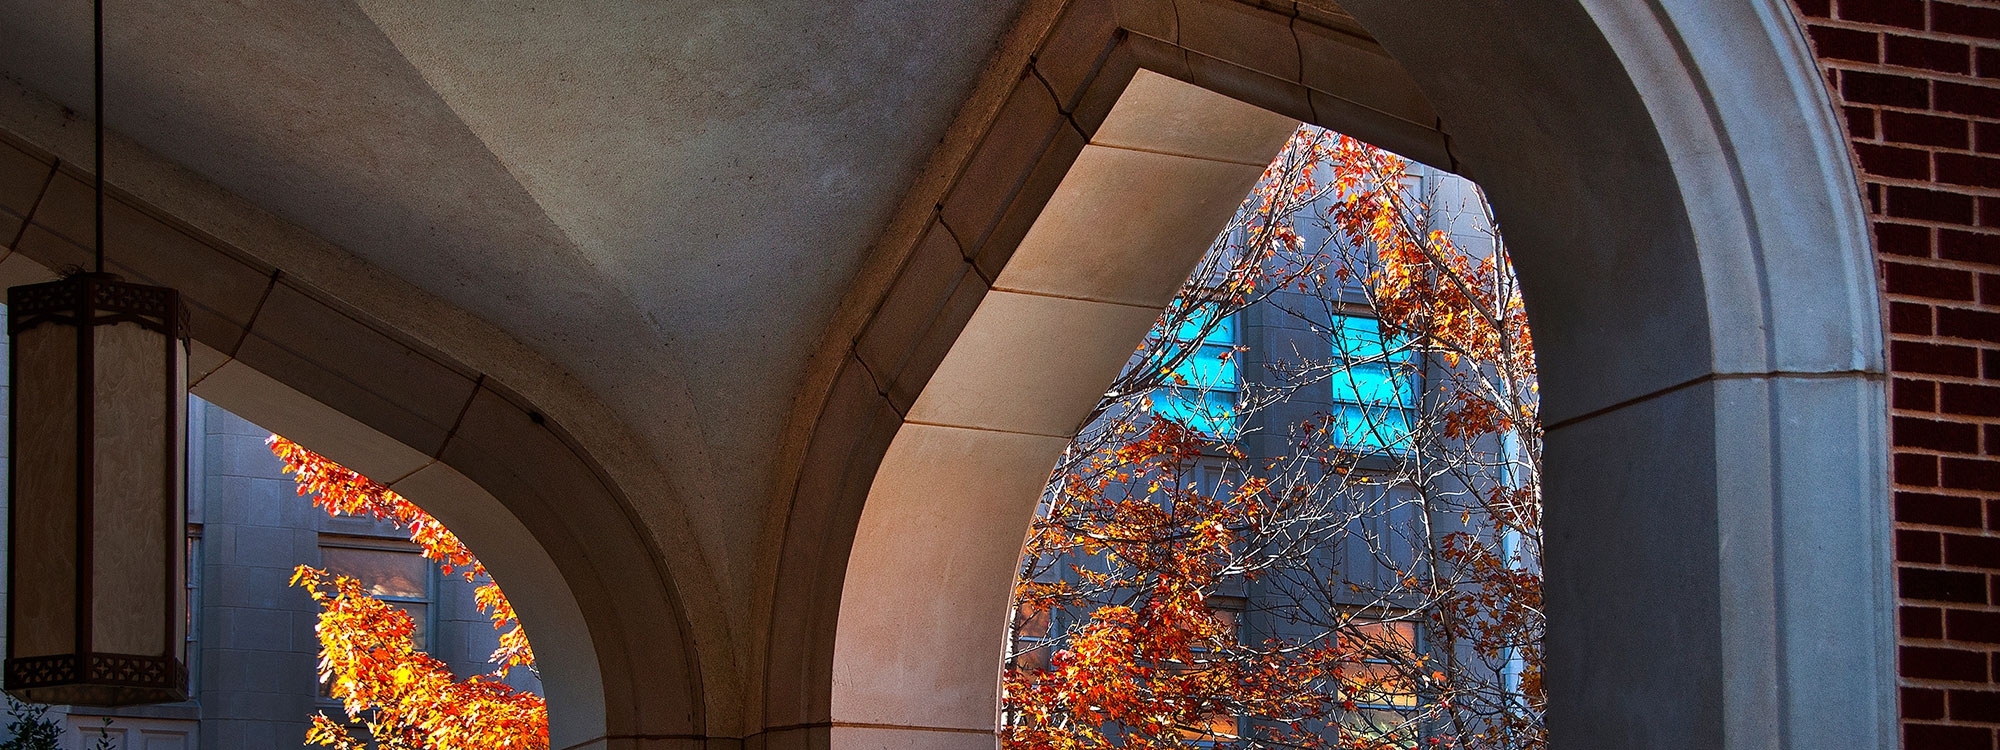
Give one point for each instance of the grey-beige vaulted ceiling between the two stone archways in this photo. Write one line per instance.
(665, 201)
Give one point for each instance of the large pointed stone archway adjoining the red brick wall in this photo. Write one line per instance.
(1691, 239)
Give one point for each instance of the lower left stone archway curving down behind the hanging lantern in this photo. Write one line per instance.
(611, 639)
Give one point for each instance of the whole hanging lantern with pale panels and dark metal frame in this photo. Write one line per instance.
(97, 493)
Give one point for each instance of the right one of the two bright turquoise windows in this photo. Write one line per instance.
(1375, 387)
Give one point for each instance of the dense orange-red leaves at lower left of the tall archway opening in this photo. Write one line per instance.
(1157, 667)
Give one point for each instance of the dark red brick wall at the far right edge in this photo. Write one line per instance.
(1921, 89)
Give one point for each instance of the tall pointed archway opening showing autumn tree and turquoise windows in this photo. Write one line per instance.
(1393, 539)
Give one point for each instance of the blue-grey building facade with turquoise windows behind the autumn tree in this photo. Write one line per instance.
(1311, 349)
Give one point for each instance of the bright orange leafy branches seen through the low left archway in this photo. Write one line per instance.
(401, 697)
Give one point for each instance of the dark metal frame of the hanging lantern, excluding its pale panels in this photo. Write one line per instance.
(89, 301)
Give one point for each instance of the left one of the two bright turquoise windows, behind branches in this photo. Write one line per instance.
(1203, 389)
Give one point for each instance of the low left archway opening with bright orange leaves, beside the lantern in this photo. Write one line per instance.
(403, 641)
